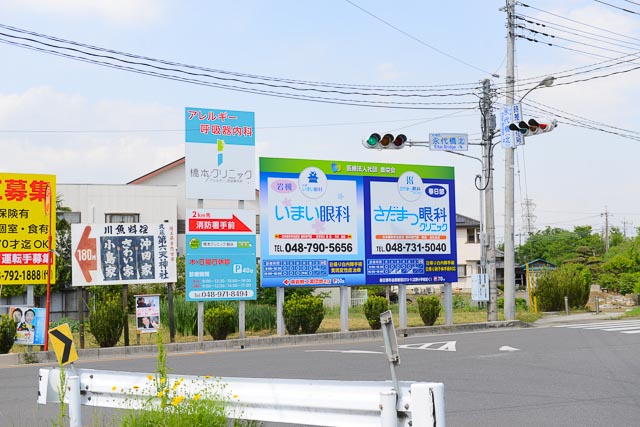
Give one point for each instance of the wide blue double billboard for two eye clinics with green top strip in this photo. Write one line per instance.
(336, 223)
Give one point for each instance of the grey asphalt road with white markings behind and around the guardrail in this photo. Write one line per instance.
(544, 376)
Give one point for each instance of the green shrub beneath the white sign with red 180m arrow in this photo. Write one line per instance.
(106, 322)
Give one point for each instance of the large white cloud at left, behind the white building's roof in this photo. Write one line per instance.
(82, 141)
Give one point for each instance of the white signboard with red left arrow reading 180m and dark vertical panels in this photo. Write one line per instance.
(127, 253)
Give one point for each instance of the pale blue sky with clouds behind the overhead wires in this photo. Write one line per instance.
(91, 124)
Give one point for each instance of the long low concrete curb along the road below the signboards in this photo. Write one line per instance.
(14, 359)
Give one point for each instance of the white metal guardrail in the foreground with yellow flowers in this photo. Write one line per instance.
(307, 402)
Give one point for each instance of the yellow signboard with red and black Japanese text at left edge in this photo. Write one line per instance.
(25, 228)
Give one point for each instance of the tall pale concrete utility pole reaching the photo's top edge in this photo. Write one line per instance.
(509, 249)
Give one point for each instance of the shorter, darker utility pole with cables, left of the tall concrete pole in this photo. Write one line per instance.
(488, 240)
